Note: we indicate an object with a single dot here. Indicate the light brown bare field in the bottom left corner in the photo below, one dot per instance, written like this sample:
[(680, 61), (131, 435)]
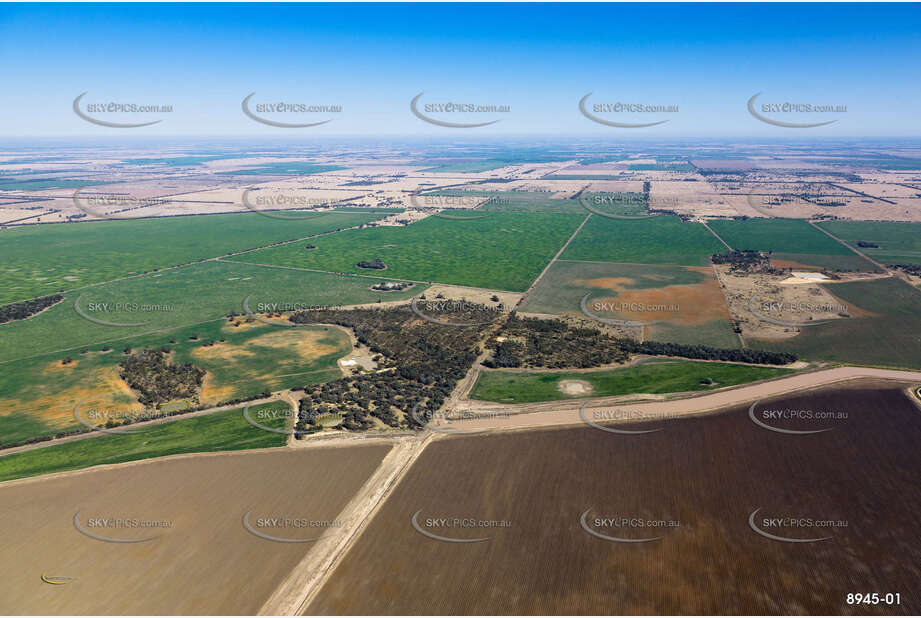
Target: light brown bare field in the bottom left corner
[(205, 562)]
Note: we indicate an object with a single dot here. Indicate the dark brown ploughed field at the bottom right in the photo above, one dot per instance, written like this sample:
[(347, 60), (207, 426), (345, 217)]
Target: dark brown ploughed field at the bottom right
[(694, 486)]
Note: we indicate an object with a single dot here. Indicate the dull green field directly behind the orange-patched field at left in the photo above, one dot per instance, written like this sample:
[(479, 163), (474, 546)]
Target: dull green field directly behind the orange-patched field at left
[(193, 294)]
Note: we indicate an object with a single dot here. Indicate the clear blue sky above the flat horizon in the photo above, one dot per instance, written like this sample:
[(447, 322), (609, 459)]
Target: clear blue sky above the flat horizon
[(537, 59)]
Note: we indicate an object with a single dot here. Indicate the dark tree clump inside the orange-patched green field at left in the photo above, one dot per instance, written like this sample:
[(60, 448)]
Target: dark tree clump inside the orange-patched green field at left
[(150, 373)]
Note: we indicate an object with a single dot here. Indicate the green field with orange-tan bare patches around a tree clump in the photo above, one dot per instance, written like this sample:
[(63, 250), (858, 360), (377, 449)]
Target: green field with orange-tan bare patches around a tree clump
[(37, 395)]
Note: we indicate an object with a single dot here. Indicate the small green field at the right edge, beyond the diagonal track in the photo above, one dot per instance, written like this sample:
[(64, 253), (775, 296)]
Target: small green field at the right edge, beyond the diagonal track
[(899, 242)]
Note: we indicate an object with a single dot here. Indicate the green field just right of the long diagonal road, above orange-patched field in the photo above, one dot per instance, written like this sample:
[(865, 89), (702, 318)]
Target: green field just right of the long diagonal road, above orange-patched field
[(654, 240)]
